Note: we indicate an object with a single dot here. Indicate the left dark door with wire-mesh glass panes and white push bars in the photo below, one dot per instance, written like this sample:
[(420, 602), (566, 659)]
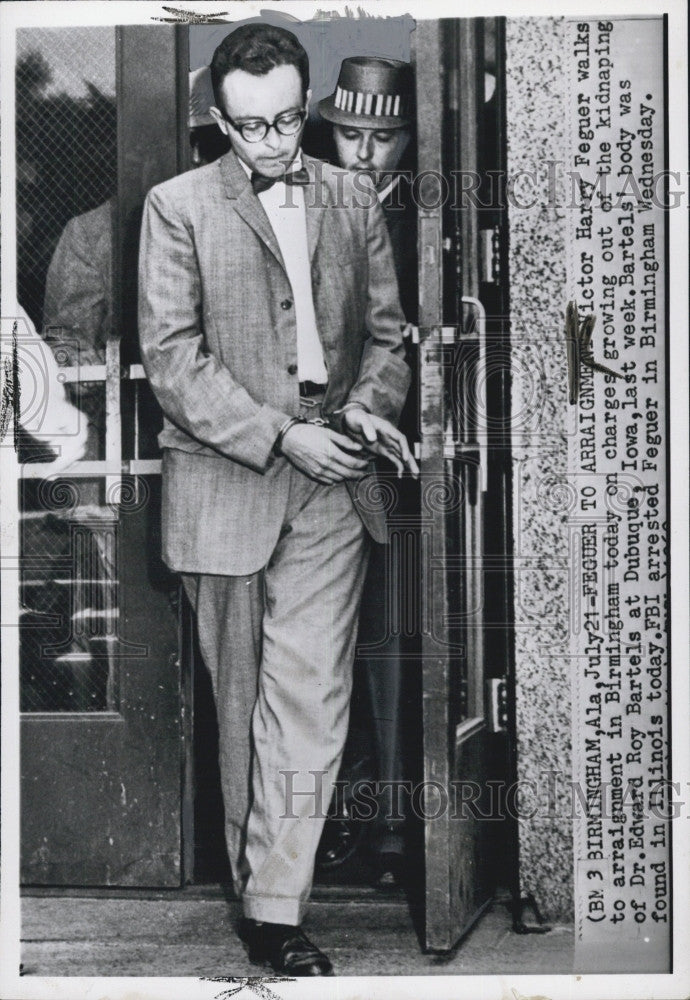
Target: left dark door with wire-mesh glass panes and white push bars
[(101, 742)]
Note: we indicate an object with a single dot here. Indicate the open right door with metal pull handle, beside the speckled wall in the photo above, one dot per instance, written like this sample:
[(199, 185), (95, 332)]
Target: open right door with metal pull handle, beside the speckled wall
[(462, 740)]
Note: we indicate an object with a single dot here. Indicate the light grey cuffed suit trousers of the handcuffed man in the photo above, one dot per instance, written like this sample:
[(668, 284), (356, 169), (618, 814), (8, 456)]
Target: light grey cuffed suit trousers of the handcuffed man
[(279, 645)]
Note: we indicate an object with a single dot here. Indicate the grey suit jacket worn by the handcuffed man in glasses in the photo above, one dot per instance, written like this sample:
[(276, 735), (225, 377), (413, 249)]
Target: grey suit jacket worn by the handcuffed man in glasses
[(219, 345)]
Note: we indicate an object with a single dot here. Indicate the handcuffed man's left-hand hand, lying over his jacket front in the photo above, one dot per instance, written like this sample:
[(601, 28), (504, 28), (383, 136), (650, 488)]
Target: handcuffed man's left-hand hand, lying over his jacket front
[(323, 454)]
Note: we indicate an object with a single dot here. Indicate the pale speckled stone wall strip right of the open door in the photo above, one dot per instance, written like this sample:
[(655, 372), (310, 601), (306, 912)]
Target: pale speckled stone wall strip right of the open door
[(536, 136)]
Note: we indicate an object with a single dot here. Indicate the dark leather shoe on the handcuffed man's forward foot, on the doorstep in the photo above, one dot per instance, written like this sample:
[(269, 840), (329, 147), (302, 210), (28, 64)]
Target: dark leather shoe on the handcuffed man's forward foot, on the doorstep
[(285, 948)]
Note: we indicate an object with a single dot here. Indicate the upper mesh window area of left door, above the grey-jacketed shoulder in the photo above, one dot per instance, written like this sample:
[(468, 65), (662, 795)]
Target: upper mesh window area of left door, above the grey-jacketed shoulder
[(66, 142)]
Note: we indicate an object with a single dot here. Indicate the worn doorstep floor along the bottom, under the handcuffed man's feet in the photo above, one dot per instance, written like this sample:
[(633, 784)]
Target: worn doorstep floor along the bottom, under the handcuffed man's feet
[(182, 933)]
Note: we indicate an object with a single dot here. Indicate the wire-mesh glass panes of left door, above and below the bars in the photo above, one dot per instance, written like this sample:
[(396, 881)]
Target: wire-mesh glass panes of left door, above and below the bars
[(66, 184)]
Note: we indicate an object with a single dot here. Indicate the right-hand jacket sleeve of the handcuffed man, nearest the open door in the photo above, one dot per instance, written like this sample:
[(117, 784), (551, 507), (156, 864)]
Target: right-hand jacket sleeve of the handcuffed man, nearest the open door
[(384, 376)]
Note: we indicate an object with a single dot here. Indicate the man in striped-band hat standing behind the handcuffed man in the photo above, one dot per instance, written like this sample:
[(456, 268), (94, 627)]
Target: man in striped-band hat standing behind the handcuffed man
[(371, 113)]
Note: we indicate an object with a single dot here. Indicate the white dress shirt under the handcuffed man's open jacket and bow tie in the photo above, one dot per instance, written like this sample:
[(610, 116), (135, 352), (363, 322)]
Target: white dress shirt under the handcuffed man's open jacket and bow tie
[(288, 217)]
